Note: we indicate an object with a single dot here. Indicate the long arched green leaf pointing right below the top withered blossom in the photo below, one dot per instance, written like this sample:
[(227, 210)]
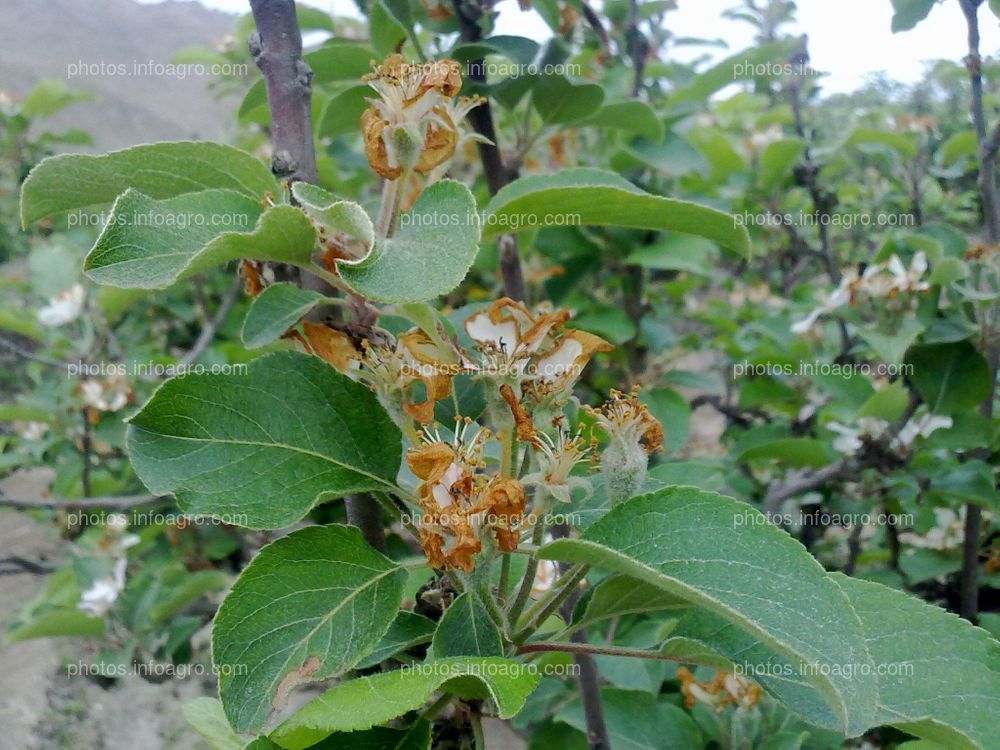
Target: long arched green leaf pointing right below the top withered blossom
[(596, 197)]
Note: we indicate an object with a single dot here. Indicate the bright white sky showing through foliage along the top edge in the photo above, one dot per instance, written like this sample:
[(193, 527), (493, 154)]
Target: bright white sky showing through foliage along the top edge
[(849, 39)]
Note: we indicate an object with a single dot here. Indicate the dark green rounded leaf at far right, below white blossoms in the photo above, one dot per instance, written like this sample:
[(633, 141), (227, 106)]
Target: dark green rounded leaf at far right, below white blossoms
[(949, 377)]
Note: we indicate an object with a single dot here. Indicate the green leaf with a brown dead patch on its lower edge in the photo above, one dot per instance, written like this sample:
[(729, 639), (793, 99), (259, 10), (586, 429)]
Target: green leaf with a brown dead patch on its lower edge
[(307, 607)]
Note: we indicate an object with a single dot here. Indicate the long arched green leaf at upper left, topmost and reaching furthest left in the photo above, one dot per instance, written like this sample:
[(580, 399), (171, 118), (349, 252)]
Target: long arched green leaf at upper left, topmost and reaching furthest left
[(160, 170)]
